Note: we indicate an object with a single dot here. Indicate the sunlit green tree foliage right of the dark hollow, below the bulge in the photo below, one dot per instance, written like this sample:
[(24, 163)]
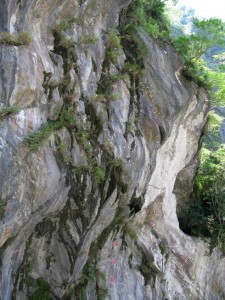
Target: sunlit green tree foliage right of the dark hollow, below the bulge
[(210, 194)]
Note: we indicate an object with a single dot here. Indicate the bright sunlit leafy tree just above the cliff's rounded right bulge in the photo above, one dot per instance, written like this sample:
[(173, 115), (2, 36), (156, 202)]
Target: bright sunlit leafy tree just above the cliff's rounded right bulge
[(195, 47)]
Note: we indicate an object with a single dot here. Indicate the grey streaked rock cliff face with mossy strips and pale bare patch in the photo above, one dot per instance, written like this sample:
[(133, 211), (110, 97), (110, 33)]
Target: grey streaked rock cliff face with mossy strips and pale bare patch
[(88, 202)]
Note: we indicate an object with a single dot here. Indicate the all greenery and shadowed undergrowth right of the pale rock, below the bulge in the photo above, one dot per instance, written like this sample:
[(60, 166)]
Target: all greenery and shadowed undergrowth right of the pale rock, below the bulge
[(205, 214)]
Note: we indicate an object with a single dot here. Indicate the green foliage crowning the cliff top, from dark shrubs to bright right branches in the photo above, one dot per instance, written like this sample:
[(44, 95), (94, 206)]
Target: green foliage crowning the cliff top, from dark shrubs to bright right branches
[(152, 16)]
